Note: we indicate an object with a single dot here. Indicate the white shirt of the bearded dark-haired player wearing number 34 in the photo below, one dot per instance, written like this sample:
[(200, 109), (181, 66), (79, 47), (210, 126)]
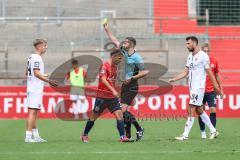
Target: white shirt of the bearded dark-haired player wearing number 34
[(197, 65)]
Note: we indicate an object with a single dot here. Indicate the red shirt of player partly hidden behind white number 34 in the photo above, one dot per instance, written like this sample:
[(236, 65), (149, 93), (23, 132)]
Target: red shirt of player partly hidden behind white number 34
[(215, 69)]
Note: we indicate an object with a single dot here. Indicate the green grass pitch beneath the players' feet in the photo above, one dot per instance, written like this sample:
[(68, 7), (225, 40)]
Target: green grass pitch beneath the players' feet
[(64, 143)]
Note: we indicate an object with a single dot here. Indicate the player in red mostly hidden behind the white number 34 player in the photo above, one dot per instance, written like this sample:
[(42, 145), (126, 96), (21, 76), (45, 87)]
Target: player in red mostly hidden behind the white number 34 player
[(210, 95)]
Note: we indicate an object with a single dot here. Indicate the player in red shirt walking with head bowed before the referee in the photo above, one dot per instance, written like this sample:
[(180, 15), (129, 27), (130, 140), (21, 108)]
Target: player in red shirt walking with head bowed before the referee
[(107, 96)]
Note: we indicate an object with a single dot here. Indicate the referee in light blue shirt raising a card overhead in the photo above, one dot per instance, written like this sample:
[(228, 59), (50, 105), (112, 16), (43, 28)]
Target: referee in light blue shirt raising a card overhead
[(134, 70)]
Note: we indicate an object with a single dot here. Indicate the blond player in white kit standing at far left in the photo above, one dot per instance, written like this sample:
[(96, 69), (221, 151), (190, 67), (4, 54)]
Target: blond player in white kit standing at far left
[(35, 83)]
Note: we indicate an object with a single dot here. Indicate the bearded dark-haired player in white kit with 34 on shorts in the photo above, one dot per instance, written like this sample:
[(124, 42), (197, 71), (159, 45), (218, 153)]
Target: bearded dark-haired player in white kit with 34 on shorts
[(197, 66)]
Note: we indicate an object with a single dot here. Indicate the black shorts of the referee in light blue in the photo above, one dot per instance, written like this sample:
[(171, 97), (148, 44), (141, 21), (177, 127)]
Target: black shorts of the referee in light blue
[(129, 92)]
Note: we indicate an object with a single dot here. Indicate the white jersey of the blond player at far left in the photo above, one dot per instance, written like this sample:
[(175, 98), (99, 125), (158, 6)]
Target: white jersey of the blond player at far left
[(33, 83)]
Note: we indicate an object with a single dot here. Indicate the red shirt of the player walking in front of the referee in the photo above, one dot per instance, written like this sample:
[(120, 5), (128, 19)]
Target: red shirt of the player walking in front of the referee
[(110, 72)]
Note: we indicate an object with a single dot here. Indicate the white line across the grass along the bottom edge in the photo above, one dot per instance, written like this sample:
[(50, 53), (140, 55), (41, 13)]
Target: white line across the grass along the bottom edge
[(123, 152)]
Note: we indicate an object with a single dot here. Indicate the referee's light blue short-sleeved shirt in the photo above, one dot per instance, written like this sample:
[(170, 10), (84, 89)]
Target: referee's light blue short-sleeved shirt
[(133, 64)]
